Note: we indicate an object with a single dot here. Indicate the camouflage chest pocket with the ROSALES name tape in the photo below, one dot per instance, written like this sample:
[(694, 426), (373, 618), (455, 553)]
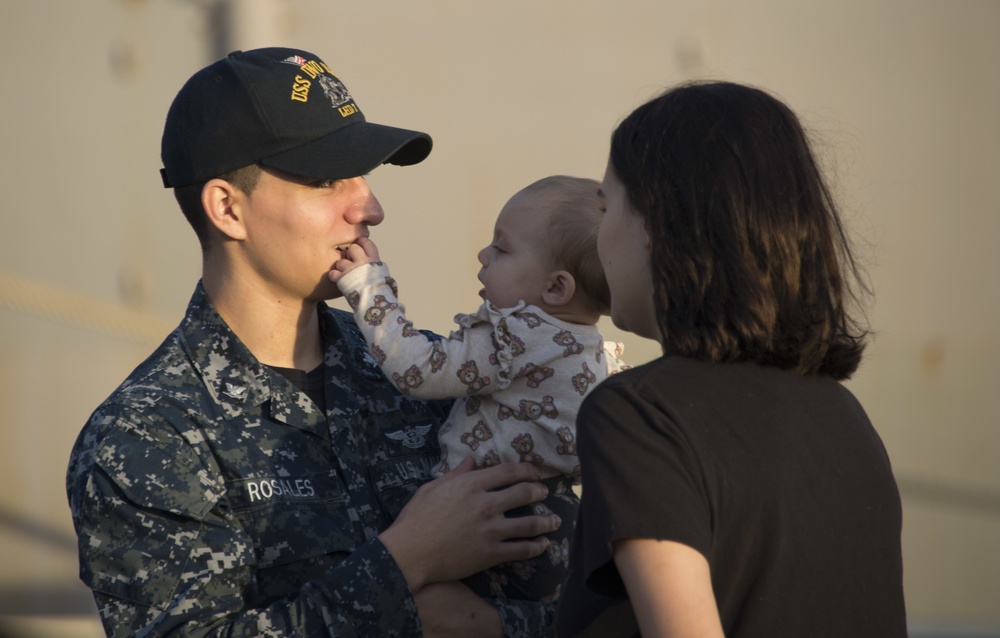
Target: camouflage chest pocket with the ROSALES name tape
[(294, 519)]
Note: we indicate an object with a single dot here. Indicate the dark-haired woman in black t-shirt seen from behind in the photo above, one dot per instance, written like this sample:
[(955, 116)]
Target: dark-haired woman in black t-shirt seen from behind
[(732, 487)]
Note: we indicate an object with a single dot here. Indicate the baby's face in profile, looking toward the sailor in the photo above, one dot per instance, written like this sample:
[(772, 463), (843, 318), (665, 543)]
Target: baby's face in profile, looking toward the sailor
[(517, 263)]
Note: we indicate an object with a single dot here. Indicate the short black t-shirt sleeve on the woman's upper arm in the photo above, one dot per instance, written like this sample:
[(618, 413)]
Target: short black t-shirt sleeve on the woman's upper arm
[(641, 479)]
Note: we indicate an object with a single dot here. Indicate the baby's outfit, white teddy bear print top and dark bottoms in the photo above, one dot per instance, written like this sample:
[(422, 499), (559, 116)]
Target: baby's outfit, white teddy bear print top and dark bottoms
[(518, 377)]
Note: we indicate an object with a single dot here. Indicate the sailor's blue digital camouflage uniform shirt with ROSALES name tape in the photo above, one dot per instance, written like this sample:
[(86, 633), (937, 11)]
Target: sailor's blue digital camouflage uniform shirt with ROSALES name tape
[(211, 497)]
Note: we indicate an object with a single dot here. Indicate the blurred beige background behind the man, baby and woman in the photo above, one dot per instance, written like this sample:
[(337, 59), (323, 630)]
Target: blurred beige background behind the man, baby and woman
[(97, 263)]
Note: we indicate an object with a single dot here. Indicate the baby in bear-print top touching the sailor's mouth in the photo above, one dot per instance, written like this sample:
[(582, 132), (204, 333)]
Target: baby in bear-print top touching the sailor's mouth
[(519, 366)]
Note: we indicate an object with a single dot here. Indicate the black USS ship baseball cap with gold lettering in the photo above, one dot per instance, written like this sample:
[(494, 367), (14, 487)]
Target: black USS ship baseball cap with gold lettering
[(282, 108)]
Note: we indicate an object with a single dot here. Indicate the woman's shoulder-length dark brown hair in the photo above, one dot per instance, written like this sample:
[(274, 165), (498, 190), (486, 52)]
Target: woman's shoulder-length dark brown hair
[(750, 261)]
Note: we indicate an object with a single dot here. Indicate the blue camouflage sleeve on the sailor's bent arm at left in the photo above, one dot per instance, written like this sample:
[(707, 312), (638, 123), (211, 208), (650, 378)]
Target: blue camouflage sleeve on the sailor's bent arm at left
[(164, 554)]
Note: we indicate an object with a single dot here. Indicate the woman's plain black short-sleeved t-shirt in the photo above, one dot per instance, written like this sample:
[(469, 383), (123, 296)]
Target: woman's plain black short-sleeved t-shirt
[(779, 480)]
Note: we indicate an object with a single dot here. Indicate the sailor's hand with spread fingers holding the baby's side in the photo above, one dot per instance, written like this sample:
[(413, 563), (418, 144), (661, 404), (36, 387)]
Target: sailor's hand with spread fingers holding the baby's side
[(454, 526)]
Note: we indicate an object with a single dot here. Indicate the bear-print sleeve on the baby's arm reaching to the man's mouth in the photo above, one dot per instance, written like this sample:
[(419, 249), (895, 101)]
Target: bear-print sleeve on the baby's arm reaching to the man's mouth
[(465, 363)]
